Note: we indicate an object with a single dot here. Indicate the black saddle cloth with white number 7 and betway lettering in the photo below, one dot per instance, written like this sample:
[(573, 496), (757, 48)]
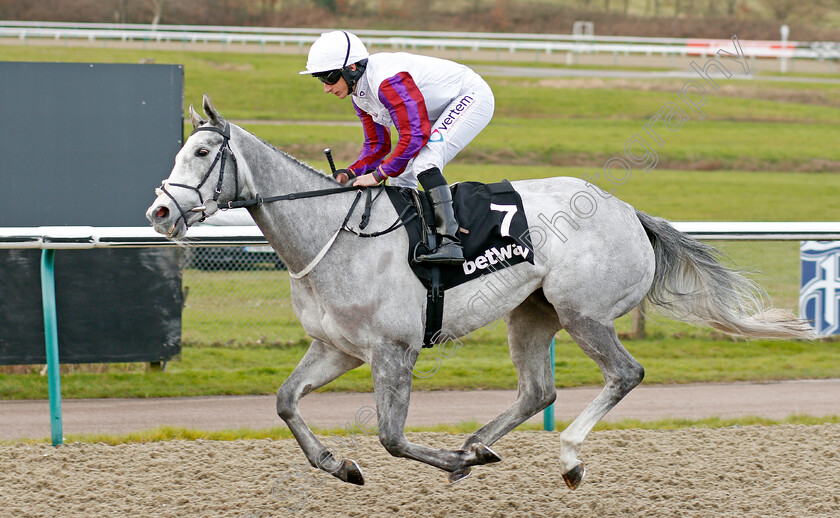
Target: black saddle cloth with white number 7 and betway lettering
[(494, 229)]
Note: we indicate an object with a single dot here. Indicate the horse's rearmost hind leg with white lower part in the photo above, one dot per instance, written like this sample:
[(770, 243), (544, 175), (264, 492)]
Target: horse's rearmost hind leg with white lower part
[(621, 374)]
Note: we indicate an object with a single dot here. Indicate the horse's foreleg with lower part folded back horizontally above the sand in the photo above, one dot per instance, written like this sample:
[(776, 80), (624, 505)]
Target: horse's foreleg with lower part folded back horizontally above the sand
[(391, 373)]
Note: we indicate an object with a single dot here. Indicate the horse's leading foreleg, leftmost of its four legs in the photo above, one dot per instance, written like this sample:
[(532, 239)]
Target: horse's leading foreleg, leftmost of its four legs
[(320, 365)]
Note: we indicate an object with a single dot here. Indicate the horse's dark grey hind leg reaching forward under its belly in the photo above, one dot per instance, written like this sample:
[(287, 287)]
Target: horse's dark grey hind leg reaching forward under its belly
[(531, 326)]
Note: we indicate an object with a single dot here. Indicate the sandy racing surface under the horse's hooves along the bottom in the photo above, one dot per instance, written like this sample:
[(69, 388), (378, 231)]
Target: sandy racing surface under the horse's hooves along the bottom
[(786, 470)]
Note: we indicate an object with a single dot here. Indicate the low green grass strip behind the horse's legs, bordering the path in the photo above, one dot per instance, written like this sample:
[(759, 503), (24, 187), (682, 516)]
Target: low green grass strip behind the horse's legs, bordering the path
[(483, 362)]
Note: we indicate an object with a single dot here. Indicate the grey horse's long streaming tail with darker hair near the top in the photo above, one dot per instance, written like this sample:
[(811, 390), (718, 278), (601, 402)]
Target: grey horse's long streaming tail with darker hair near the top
[(690, 284)]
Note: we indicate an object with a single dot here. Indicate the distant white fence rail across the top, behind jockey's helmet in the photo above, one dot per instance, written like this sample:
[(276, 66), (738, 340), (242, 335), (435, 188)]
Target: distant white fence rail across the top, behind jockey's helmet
[(510, 42)]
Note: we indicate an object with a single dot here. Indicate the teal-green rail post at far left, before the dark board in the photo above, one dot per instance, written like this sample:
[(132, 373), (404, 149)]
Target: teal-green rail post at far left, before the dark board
[(51, 338)]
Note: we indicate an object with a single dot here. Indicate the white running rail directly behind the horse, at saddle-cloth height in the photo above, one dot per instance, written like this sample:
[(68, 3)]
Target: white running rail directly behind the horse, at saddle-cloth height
[(70, 237)]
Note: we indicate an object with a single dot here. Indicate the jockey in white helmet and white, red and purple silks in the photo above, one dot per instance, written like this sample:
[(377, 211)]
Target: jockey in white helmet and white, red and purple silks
[(437, 106)]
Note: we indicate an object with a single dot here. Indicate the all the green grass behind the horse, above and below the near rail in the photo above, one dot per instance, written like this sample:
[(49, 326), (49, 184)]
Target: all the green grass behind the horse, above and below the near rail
[(736, 164)]
